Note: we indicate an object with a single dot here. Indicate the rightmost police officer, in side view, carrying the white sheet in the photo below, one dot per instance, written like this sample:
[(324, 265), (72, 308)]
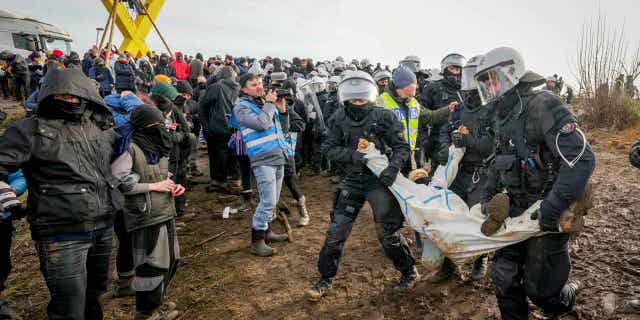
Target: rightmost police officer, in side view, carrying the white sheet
[(540, 154)]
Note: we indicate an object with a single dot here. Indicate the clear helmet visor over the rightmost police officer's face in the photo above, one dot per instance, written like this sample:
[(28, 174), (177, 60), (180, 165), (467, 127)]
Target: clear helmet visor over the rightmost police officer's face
[(493, 83)]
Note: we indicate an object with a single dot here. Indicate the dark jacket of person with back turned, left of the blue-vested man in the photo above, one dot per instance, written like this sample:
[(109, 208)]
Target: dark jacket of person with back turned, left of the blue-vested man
[(216, 106)]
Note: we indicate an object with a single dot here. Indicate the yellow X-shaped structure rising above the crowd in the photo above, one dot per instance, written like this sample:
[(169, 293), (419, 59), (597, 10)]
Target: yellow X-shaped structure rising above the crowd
[(135, 31)]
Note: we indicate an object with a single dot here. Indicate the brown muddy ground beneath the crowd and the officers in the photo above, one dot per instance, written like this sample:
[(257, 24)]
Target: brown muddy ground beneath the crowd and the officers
[(222, 280)]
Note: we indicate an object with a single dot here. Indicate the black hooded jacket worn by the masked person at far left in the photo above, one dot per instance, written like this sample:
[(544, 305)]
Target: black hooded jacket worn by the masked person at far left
[(66, 164)]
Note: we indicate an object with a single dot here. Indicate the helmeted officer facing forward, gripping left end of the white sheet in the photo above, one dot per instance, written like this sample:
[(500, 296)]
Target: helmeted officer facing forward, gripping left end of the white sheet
[(360, 118)]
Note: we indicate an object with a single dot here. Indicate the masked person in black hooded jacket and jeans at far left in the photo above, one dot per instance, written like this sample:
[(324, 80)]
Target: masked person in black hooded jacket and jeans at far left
[(65, 152)]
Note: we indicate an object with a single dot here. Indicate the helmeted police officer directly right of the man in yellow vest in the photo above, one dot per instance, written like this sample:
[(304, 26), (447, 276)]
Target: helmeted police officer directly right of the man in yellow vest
[(440, 94)]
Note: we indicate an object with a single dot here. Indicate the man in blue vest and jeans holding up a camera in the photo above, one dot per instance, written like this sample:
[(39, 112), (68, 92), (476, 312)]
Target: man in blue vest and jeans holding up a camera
[(259, 120)]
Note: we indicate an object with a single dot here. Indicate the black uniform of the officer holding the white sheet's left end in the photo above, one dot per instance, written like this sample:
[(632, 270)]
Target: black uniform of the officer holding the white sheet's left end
[(381, 127)]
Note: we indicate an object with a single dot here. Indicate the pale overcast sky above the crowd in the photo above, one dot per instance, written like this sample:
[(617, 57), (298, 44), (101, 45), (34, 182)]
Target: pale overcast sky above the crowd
[(545, 31)]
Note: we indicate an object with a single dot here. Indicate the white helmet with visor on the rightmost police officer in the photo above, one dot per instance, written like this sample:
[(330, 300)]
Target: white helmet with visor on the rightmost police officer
[(499, 71)]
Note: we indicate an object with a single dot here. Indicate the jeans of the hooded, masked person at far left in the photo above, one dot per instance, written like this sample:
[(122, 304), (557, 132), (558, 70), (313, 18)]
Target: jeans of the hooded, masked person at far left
[(77, 274)]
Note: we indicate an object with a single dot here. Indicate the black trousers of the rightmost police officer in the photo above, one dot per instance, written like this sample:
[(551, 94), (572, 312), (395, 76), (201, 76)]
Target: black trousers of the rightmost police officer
[(538, 269)]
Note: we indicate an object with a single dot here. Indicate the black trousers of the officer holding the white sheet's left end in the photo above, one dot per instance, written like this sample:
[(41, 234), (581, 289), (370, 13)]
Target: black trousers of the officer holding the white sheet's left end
[(348, 200)]
